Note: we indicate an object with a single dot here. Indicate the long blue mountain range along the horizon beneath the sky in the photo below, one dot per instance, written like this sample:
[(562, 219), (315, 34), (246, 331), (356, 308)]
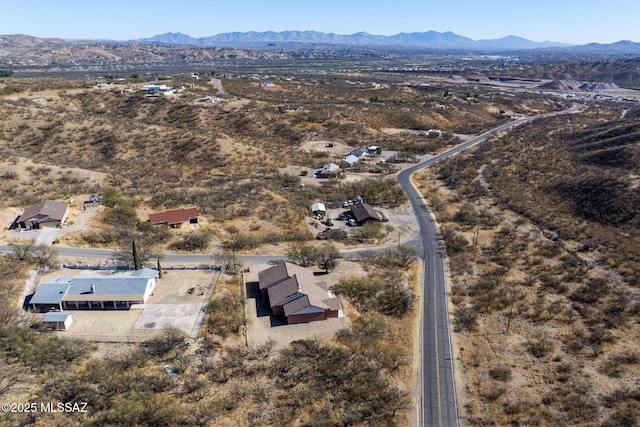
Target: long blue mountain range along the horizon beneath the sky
[(427, 40)]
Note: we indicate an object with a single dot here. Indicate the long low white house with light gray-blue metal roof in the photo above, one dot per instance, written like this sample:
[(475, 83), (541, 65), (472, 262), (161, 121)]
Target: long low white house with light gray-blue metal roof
[(114, 291)]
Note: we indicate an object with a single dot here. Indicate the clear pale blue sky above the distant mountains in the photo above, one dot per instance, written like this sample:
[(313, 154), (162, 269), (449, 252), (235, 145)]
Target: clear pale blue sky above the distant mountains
[(568, 21)]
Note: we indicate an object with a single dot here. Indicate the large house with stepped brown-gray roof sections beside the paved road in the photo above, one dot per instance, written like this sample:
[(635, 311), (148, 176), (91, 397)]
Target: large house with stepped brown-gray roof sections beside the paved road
[(293, 292)]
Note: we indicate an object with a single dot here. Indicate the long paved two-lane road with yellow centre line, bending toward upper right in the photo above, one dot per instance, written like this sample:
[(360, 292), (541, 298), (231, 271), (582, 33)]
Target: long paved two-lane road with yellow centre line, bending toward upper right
[(438, 401)]
